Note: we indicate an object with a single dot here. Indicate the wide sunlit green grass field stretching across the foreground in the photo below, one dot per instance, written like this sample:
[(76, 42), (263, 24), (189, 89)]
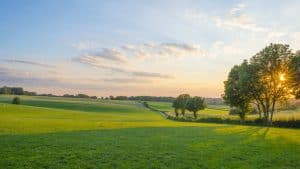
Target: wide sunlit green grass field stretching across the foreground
[(48, 132)]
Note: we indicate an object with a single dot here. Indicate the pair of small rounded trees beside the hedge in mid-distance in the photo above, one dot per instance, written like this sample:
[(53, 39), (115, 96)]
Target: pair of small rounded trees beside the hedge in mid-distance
[(185, 102)]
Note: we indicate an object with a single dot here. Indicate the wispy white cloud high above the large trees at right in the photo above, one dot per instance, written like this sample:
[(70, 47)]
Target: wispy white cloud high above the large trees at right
[(236, 18)]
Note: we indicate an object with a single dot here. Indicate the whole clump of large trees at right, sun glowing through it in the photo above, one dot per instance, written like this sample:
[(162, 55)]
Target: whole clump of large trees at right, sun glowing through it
[(269, 77)]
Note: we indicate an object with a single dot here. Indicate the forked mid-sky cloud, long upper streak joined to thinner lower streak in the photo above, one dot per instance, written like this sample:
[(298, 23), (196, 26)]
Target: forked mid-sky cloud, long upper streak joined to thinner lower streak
[(122, 59)]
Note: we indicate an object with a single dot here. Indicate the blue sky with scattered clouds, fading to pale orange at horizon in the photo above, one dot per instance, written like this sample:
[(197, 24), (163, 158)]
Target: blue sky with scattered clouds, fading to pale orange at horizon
[(128, 47)]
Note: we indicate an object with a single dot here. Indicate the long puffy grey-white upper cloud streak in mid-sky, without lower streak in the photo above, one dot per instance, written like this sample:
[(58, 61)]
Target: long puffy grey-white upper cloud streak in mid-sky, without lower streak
[(144, 51)]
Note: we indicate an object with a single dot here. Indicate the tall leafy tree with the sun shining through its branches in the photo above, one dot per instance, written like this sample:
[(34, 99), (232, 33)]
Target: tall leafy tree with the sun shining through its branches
[(272, 69)]
